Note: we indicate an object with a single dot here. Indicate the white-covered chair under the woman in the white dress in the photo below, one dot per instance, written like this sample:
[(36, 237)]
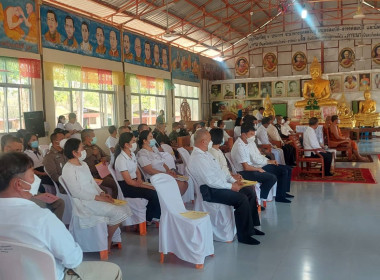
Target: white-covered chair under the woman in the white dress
[(92, 239)]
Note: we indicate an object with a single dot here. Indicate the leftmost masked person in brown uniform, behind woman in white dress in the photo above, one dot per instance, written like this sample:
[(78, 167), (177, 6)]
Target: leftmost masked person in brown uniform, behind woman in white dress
[(55, 159)]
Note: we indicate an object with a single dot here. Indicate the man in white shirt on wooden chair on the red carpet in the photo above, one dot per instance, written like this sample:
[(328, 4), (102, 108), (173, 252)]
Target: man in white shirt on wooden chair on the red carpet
[(310, 142)]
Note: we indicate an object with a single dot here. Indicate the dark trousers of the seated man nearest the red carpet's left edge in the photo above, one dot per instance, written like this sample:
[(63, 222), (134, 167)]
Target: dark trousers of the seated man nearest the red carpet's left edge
[(283, 174)]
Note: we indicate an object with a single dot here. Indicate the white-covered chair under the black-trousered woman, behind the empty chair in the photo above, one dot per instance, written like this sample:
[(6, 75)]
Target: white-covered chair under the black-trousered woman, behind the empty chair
[(137, 205)]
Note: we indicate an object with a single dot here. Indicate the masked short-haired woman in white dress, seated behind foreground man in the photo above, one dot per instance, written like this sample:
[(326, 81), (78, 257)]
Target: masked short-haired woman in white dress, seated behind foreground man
[(92, 205)]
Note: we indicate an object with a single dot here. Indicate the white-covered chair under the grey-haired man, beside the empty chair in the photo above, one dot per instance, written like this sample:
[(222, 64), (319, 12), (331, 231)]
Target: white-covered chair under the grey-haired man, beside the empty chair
[(221, 215)]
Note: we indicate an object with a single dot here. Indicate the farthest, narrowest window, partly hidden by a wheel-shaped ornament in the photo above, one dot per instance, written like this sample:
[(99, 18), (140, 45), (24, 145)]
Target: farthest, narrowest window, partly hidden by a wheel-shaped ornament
[(191, 94)]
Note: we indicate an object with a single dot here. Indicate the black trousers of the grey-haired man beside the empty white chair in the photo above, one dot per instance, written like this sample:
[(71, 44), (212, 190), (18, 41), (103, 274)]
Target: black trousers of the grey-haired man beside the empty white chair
[(244, 203)]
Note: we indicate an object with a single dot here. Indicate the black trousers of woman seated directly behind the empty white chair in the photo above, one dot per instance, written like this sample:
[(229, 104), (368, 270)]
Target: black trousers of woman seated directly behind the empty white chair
[(153, 209)]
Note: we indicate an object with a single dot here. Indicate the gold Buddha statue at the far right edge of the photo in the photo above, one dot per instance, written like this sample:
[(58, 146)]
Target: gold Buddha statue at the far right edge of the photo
[(367, 115)]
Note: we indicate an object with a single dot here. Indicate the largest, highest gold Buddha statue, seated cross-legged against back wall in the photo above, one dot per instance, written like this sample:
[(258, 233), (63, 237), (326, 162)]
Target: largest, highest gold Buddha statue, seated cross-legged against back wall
[(320, 87)]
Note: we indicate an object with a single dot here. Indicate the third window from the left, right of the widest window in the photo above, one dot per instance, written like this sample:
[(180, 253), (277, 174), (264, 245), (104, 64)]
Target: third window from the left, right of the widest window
[(148, 97)]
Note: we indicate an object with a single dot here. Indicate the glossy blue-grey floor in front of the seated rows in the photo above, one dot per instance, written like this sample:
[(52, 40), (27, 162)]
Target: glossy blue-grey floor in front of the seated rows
[(329, 232)]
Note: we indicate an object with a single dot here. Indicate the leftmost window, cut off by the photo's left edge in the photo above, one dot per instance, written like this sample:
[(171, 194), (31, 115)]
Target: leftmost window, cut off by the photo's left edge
[(15, 96)]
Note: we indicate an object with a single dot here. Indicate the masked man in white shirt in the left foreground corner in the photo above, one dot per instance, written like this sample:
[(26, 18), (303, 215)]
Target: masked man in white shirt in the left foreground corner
[(21, 220)]
